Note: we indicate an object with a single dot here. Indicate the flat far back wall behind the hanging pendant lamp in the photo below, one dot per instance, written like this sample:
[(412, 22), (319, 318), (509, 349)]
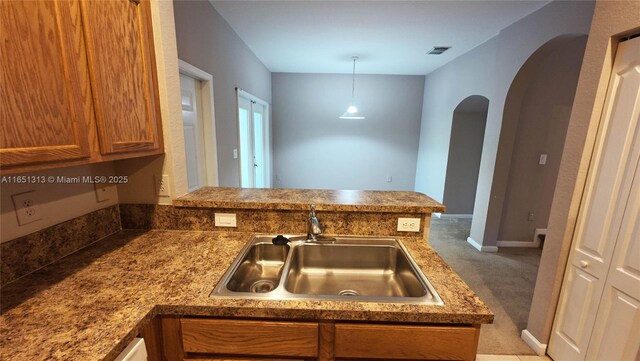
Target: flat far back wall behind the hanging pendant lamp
[(313, 148)]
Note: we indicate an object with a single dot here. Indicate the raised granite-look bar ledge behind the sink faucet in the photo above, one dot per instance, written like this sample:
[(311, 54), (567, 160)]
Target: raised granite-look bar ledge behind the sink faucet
[(300, 199)]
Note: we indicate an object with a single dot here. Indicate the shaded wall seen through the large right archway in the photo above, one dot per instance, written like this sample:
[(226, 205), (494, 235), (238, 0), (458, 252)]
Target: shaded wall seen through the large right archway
[(544, 108)]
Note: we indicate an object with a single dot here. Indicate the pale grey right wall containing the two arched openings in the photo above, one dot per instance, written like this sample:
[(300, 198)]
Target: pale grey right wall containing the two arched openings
[(487, 70)]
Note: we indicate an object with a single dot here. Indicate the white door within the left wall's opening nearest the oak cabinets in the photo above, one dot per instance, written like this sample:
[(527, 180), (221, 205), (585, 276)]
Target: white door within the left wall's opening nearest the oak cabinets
[(193, 131)]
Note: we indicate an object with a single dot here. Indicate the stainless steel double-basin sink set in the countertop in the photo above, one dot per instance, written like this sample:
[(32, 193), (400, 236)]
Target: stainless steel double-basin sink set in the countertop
[(346, 268)]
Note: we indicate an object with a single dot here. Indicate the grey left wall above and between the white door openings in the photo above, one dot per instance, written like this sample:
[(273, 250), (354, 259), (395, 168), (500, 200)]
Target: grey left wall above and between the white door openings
[(206, 40)]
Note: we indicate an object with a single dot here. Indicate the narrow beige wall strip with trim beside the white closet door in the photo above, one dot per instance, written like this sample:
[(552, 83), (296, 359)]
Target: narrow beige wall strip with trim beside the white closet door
[(611, 20)]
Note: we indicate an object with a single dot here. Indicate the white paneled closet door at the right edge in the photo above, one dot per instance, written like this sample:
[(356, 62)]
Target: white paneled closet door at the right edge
[(603, 219)]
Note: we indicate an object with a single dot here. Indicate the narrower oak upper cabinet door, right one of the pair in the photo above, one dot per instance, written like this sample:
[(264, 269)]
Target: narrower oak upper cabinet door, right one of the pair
[(123, 79)]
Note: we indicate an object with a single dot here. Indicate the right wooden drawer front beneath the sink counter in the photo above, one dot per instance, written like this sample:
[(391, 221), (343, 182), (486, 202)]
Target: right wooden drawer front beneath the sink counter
[(400, 342)]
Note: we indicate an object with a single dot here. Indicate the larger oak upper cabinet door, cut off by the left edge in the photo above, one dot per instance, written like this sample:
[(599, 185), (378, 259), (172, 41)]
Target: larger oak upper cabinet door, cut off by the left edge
[(45, 104)]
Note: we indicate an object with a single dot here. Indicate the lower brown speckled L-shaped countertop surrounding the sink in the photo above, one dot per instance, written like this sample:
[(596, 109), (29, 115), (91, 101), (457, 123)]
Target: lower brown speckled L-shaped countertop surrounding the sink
[(90, 305)]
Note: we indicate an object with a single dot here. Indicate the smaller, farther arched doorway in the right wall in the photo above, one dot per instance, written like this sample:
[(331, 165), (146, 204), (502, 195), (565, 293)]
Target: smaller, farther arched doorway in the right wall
[(465, 150)]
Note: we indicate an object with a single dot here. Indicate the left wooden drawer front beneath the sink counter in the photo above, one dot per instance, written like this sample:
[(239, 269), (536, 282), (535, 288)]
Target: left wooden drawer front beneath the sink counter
[(239, 337)]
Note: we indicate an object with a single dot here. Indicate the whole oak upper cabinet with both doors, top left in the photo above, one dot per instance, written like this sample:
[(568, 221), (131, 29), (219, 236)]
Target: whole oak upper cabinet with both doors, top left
[(78, 83)]
